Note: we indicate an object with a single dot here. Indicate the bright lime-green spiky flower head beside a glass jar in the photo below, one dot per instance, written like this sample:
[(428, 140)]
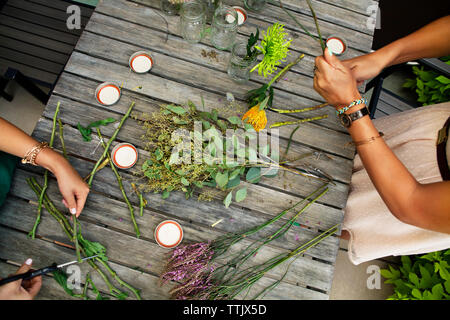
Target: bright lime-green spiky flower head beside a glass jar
[(275, 48)]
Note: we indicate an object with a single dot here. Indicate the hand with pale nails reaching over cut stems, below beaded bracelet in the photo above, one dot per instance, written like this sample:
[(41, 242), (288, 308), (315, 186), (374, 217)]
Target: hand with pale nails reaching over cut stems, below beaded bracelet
[(72, 187)]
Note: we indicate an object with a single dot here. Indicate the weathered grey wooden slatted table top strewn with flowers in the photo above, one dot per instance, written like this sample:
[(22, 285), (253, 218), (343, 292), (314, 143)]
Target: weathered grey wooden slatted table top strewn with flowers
[(182, 72)]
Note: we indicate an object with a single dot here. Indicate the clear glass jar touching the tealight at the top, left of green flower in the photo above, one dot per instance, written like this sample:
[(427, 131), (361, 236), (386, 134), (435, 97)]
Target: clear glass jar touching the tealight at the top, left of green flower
[(224, 28)]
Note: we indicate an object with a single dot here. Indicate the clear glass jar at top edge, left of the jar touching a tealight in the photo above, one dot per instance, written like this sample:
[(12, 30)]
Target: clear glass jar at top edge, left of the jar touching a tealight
[(192, 21)]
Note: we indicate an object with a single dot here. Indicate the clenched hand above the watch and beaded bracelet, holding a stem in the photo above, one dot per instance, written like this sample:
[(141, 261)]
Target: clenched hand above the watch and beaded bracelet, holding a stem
[(334, 81)]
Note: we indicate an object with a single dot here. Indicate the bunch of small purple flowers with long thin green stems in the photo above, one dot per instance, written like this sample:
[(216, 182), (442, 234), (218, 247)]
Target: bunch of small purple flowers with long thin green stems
[(192, 265)]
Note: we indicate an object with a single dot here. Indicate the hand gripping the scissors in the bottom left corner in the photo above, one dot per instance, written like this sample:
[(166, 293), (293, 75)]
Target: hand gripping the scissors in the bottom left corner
[(22, 289)]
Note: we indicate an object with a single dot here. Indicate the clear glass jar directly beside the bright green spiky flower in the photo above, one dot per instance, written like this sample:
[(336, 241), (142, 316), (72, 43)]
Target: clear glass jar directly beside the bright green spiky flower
[(239, 67)]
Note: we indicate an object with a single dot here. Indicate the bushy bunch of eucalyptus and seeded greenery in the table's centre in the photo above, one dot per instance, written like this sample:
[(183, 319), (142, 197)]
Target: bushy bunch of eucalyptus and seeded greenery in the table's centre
[(195, 151)]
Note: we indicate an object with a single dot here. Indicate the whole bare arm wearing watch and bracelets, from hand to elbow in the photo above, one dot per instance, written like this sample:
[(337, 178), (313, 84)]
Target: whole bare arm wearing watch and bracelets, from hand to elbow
[(422, 205)]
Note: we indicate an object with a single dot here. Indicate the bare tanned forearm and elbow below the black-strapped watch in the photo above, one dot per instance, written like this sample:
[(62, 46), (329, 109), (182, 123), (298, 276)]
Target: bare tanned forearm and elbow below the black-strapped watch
[(423, 205)]
